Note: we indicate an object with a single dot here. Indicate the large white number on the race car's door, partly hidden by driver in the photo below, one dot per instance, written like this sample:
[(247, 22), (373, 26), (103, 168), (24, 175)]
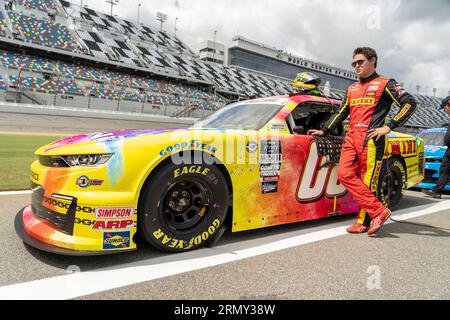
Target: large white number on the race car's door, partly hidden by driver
[(314, 183)]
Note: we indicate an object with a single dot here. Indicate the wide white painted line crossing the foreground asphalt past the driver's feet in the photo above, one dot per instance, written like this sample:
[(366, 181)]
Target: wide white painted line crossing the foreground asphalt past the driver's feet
[(85, 283)]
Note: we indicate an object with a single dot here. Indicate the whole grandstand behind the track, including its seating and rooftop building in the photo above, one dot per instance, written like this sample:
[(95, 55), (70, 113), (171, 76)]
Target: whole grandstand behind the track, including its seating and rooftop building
[(56, 52)]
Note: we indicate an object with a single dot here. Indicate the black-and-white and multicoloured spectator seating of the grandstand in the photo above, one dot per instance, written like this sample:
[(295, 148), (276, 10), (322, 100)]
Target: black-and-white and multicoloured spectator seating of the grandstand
[(112, 40)]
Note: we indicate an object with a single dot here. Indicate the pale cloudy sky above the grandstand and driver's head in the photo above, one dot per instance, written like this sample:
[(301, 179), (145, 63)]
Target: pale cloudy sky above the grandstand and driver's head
[(411, 37)]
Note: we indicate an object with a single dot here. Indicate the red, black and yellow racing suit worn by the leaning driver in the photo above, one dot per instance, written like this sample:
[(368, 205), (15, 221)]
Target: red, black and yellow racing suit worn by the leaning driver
[(368, 103)]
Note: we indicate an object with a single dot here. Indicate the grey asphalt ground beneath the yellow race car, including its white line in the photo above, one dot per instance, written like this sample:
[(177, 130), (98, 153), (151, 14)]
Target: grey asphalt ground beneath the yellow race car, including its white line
[(309, 260)]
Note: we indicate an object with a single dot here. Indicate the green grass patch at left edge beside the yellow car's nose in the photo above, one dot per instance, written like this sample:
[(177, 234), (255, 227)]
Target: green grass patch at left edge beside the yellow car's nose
[(16, 156)]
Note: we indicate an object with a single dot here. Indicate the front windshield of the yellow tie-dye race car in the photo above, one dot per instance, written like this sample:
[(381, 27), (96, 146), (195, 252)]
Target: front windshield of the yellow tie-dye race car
[(241, 116)]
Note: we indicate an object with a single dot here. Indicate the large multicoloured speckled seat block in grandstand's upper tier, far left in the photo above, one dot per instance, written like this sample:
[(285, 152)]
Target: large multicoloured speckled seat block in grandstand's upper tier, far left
[(43, 32)]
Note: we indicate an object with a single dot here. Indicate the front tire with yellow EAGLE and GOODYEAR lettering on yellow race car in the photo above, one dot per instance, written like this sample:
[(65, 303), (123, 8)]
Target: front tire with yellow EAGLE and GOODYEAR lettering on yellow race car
[(183, 207)]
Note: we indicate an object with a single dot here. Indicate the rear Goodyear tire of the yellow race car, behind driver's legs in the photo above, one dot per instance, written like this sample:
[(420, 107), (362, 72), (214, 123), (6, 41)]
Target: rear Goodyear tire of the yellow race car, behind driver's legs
[(391, 185)]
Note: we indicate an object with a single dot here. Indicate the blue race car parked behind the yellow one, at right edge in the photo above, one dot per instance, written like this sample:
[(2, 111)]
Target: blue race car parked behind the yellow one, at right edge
[(434, 153)]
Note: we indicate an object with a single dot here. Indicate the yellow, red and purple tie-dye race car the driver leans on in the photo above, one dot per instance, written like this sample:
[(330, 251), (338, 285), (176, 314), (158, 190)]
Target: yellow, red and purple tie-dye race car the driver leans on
[(251, 163)]
